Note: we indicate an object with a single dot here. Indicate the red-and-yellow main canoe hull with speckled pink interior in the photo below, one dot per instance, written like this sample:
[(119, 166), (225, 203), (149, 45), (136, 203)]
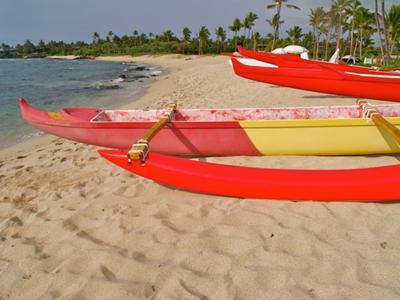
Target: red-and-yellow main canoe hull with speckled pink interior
[(324, 130)]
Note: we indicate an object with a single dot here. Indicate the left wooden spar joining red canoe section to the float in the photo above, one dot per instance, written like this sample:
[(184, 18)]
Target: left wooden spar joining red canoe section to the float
[(140, 149)]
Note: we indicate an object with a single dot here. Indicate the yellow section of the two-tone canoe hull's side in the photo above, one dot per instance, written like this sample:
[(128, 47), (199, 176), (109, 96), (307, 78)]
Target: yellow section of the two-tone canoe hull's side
[(320, 137)]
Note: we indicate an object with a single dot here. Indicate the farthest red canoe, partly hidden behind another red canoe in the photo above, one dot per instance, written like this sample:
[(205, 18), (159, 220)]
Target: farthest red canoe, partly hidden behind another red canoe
[(294, 61)]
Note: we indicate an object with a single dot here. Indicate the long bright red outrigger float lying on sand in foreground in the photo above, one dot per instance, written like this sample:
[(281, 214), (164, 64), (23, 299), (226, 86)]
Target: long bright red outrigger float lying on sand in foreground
[(371, 184)]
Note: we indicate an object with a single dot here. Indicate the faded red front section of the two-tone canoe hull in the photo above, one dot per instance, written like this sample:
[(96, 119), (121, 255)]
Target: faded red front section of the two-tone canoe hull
[(180, 138)]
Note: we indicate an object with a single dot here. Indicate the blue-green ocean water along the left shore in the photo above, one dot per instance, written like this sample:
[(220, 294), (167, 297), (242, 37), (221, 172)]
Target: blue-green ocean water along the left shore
[(53, 84)]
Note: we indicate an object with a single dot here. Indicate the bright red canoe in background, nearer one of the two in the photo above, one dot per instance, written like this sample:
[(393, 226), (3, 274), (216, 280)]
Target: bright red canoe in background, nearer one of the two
[(327, 79)]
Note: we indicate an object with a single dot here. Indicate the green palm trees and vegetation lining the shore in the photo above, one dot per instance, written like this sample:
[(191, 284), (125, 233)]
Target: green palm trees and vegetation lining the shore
[(346, 25)]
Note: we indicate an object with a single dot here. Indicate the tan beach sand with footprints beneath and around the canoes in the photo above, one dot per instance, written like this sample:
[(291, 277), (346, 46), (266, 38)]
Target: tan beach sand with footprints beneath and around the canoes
[(75, 226)]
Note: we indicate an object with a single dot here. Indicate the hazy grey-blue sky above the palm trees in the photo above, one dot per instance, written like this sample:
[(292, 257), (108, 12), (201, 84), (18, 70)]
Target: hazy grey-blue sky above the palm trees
[(73, 20)]
